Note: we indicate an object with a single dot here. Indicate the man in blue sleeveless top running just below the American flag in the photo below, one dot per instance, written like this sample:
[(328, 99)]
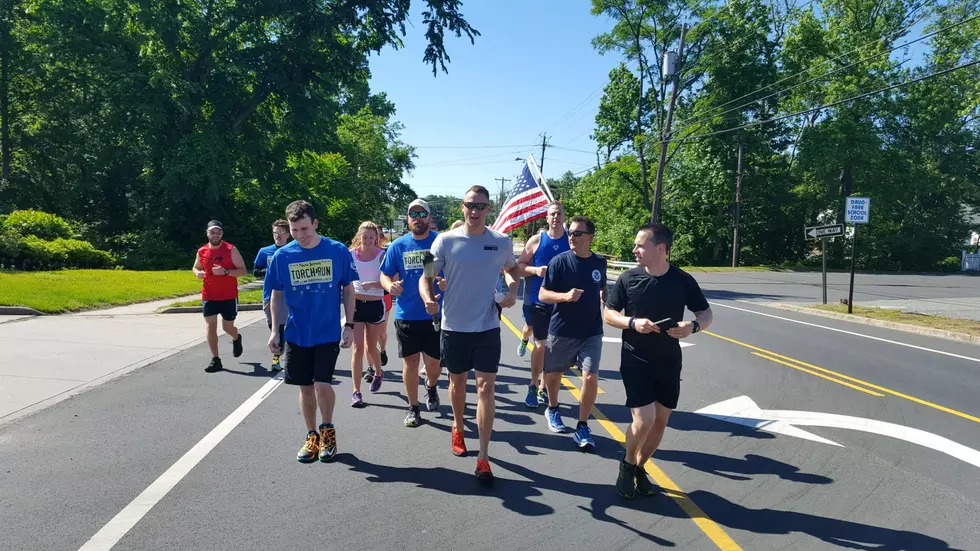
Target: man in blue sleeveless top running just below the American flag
[(538, 252)]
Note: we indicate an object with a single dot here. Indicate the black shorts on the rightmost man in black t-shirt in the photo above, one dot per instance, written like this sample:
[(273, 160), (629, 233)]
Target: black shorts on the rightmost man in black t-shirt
[(649, 381)]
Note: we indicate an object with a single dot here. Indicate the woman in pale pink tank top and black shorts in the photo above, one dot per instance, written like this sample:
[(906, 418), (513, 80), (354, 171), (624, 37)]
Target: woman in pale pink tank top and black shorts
[(369, 312)]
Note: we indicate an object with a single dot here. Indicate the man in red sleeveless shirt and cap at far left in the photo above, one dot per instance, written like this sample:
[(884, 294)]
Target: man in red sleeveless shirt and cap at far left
[(219, 265)]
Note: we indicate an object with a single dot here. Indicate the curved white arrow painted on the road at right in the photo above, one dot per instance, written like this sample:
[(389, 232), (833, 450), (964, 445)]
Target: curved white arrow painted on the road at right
[(744, 411)]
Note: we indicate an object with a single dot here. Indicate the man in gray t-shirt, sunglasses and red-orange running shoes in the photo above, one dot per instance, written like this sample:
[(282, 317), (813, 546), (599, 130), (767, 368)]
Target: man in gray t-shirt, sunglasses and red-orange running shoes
[(472, 258)]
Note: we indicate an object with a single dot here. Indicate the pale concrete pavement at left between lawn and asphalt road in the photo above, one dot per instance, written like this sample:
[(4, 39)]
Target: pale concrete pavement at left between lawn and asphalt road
[(51, 358)]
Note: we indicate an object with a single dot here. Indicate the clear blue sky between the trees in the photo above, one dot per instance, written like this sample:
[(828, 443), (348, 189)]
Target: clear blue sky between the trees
[(533, 70)]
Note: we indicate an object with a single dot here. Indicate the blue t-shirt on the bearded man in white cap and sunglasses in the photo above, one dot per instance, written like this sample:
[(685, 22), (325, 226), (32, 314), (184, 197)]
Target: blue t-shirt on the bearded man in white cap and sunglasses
[(404, 257)]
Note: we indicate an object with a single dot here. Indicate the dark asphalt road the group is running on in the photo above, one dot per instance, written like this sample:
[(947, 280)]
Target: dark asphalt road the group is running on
[(70, 469)]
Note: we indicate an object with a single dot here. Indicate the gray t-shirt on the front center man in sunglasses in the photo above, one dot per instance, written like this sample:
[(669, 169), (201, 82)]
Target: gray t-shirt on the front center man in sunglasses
[(471, 265)]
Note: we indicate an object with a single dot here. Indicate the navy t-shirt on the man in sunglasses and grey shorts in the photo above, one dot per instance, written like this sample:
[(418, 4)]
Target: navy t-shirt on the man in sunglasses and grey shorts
[(582, 318)]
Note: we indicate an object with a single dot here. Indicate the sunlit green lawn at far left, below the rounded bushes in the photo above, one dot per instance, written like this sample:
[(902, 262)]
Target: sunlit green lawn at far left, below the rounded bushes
[(73, 290)]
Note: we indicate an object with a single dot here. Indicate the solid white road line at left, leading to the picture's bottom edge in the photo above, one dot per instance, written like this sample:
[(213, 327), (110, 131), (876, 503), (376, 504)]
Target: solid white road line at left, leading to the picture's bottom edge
[(122, 523)]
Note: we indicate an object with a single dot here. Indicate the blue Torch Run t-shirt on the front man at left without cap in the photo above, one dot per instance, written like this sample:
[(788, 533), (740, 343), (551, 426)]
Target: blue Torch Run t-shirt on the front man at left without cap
[(312, 281)]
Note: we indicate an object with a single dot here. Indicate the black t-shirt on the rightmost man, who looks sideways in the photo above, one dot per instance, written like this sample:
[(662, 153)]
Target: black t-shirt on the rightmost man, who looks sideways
[(639, 294)]
